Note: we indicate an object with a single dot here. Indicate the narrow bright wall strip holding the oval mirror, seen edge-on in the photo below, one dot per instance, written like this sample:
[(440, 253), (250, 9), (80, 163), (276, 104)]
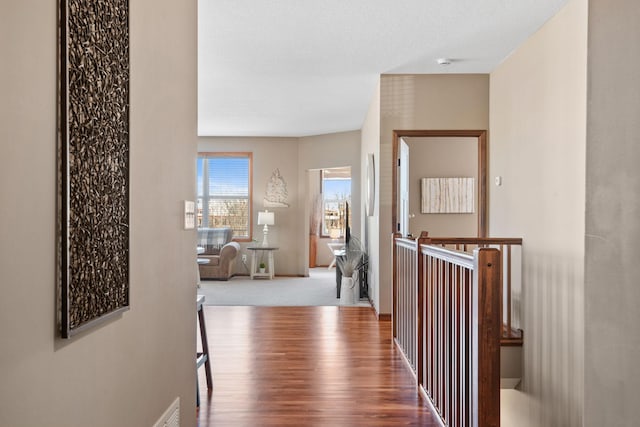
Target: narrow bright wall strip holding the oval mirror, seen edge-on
[(370, 144)]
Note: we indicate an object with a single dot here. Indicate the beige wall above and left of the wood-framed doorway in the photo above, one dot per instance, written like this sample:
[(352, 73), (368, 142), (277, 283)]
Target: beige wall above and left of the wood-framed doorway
[(425, 102)]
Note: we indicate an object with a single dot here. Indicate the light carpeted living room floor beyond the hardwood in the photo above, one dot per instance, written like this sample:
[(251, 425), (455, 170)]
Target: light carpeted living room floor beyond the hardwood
[(318, 289)]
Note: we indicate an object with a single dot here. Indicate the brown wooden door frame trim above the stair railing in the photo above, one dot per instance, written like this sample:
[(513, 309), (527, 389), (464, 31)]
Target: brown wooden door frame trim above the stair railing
[(481, 136)]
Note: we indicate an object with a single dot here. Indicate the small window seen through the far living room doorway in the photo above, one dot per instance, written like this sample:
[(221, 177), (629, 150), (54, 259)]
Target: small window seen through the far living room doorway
[(336, 191)]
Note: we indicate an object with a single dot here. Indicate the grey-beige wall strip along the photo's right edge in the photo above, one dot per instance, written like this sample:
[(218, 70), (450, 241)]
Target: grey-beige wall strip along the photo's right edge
[(612, 294)]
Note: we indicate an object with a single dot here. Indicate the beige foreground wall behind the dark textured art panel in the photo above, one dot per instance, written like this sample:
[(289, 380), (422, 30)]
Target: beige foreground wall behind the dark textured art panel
[(127, 371)]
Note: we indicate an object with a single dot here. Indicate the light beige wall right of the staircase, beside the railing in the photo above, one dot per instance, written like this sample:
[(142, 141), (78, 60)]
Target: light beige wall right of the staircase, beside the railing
[(538, 119)]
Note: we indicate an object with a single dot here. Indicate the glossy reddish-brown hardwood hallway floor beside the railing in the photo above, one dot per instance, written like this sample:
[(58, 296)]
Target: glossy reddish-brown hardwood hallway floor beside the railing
[(306, 366)]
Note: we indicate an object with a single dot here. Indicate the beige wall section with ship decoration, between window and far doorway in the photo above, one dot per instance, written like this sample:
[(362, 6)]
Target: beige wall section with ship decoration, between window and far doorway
[(269, 154)]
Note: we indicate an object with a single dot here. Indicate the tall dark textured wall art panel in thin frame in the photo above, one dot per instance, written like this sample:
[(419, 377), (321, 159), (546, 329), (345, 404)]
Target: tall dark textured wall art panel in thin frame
[(94, 162)]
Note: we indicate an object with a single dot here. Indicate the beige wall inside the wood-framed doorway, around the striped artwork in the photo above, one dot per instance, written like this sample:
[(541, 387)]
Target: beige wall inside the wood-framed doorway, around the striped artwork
[(441, 157)]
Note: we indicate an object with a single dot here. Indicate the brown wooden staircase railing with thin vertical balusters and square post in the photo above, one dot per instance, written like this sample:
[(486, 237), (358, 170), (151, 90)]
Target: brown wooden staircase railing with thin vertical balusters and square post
[(447, 322)]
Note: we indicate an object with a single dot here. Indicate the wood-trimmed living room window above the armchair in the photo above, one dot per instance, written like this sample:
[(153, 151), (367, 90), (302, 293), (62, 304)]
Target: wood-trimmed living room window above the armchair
[(224, 192)]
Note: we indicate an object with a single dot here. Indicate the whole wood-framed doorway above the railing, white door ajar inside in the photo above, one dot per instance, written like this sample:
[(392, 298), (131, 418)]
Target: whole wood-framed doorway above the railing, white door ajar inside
[(407, 190)]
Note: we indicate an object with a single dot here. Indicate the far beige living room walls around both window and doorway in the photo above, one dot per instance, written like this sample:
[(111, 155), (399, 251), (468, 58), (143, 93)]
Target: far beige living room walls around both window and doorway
[(294, 157)]
